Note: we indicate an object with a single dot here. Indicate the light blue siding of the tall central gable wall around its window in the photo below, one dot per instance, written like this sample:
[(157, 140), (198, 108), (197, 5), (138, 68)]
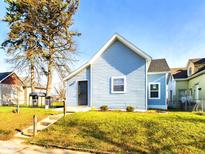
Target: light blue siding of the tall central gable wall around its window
[(119, 60)]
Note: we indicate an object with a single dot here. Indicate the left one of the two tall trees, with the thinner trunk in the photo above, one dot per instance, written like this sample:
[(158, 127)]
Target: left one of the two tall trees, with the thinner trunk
[(22, 45)]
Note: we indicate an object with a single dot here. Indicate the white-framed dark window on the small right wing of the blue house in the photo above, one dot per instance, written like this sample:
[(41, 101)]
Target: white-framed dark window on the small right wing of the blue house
[(154, 90)]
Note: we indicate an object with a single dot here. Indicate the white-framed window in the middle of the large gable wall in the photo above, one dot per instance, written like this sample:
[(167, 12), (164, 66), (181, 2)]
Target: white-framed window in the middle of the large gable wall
[(118, 84)]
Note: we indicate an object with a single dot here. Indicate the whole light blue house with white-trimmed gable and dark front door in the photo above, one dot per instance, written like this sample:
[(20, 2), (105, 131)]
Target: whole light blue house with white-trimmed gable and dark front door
[(120, 75)]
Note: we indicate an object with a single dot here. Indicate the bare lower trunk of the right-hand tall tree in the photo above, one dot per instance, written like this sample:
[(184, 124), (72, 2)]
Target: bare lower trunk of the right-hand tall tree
[(49, 80)]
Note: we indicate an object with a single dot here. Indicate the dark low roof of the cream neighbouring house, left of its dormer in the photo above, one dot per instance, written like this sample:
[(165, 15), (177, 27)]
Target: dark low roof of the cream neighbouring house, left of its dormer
[(179, 73)]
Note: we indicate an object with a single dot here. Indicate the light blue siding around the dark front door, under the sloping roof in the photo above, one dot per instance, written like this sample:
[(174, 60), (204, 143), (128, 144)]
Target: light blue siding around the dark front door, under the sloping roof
[(72, 87)]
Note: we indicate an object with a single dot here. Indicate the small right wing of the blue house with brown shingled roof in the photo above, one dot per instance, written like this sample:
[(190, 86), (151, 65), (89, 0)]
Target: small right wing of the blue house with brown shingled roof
[(159, 72)]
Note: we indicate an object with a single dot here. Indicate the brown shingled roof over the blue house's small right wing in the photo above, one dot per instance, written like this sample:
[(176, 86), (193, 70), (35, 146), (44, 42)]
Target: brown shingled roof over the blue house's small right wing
[(159, 65)]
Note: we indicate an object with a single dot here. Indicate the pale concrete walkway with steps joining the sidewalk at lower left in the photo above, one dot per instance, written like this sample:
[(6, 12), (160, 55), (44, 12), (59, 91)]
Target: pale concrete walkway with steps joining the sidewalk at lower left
[(17, 145)]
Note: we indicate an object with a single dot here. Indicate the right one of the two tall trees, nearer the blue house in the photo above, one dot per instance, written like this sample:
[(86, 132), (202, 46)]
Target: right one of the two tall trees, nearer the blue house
[(54, 22)]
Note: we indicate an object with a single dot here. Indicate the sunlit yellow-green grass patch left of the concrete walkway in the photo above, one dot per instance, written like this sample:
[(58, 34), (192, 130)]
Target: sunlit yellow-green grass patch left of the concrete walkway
[(10, 122)]
